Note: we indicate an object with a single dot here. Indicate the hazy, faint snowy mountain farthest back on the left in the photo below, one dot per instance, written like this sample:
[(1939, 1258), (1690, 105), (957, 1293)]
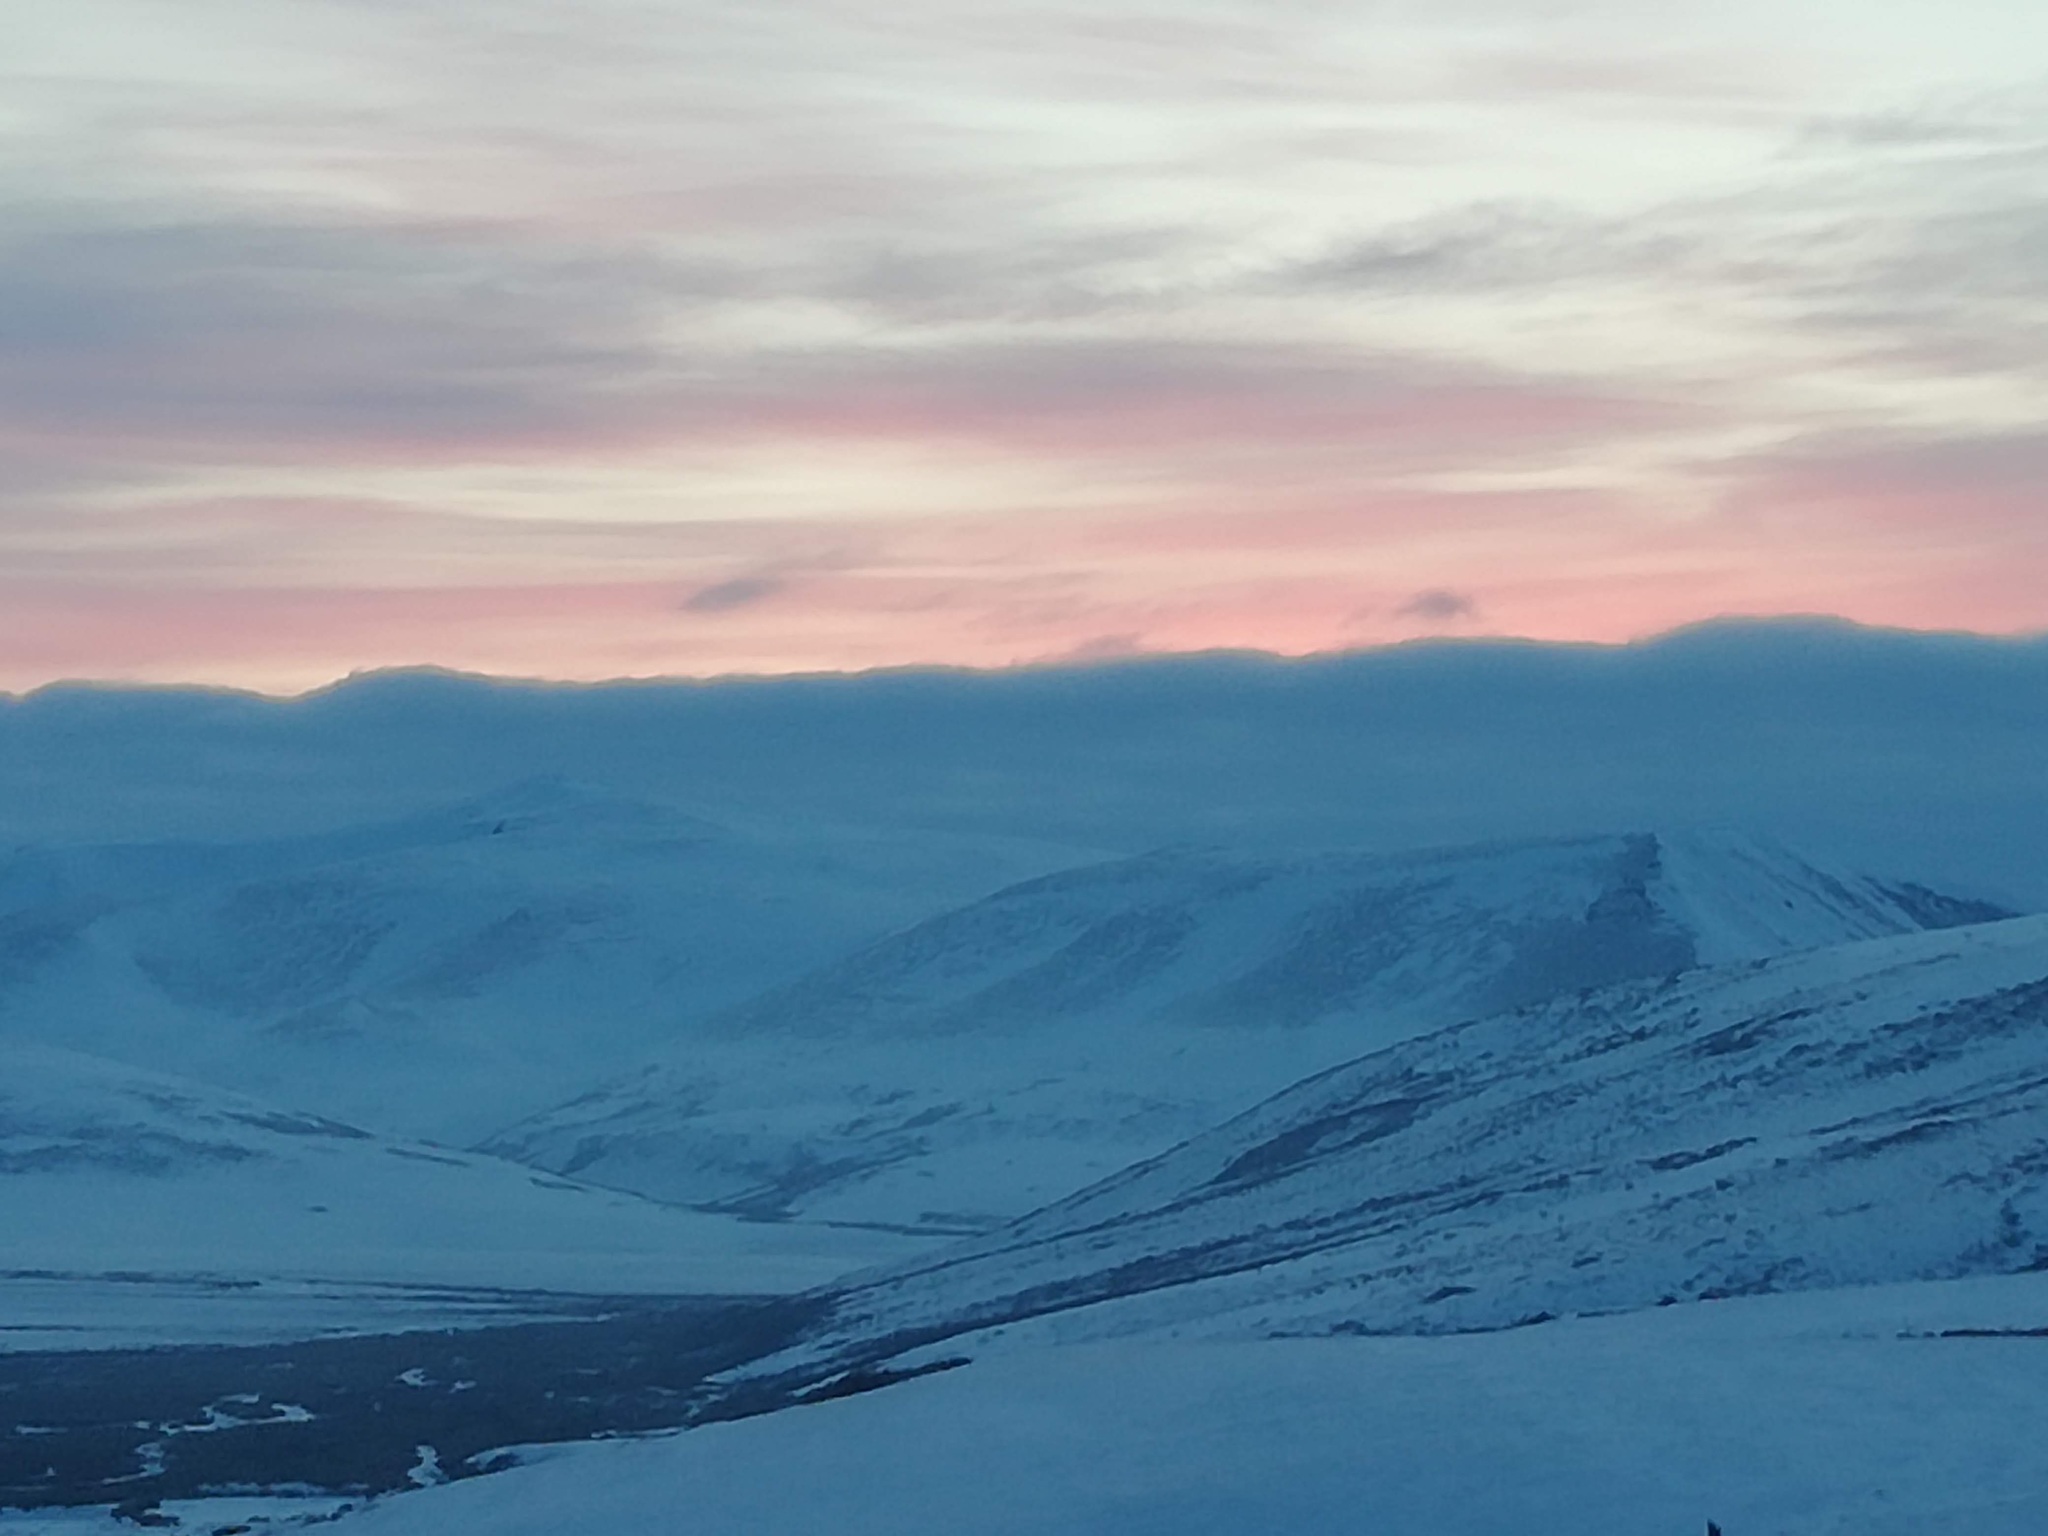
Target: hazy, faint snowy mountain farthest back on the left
[(454, 970)]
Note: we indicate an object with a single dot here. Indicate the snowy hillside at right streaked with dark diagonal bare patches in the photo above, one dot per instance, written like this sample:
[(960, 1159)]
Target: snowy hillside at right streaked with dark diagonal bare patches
[(1840, 1117)]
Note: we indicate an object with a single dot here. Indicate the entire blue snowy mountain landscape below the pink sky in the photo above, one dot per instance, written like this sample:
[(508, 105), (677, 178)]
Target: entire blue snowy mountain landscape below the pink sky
[(1275, 1179)]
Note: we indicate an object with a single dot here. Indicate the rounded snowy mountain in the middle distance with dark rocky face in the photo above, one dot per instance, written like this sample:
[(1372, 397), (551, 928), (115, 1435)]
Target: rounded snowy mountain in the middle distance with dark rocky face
[(1007, 1054)]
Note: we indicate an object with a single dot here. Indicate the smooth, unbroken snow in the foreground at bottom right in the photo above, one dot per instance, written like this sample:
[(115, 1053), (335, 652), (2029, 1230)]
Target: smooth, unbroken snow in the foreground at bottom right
[(1791, 1416)]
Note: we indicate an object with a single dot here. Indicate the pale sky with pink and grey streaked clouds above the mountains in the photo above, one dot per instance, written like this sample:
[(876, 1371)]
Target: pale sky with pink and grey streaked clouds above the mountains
[(699, 337)]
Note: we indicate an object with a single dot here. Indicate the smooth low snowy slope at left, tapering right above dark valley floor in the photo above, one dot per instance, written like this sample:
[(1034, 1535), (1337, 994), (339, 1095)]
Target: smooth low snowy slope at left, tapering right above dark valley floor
[(108, 1170)]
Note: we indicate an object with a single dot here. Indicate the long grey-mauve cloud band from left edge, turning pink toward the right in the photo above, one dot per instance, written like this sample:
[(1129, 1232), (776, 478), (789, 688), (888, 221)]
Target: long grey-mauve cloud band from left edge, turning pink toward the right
[(187, 339)]
